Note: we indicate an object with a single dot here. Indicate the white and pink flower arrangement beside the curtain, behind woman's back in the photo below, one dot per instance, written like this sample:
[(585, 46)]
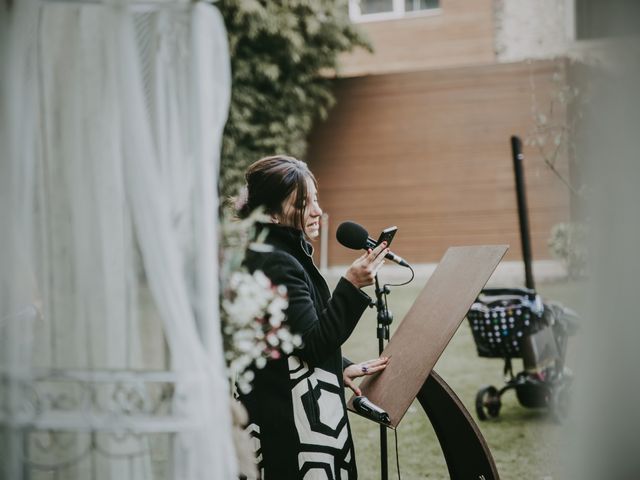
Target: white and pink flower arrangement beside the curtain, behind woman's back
[(252, 312)]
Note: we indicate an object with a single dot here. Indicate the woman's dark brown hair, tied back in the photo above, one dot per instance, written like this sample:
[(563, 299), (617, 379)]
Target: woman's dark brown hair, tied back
[(271, 180)]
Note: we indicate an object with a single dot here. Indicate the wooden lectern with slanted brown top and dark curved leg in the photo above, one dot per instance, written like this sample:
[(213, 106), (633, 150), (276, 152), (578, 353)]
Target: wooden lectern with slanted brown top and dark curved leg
[(417, 345)]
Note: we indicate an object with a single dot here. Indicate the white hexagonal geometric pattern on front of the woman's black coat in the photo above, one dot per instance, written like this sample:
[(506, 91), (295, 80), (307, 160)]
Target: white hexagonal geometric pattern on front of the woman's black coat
[(321, 422)]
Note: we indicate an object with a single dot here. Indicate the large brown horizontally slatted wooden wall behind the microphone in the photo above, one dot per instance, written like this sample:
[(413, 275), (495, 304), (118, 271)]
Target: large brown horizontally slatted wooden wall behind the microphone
[(429, 151)]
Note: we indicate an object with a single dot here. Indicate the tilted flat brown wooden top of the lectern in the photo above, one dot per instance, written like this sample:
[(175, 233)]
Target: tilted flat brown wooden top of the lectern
[(428, 327)]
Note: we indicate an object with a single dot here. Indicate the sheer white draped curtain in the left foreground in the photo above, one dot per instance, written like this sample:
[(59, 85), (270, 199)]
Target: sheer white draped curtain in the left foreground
[(111, 118)]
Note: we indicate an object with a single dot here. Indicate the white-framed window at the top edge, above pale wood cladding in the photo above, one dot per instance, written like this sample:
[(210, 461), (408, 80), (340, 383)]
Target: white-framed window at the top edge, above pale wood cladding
[(366, 10)]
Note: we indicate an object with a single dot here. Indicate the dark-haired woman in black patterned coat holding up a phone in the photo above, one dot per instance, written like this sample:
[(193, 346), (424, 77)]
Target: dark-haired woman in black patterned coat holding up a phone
[(297, 405)]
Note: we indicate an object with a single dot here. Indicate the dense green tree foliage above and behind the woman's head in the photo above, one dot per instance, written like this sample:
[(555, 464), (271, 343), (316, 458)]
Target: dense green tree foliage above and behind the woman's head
[(282, 53)]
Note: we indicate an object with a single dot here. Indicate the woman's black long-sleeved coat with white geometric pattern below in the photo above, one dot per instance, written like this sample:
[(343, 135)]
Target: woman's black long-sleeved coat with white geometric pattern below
[(297, 406)]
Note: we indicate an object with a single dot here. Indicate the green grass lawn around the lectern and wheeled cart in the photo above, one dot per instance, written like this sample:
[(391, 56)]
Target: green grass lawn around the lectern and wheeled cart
[(524, 442)]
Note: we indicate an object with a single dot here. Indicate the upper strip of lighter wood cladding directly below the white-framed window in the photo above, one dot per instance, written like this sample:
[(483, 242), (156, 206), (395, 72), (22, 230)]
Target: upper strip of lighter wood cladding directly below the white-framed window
[(462, 33)]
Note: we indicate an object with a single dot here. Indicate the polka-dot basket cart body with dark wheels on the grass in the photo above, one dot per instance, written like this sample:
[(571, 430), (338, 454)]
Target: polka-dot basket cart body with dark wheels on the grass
[(511, 323)]
